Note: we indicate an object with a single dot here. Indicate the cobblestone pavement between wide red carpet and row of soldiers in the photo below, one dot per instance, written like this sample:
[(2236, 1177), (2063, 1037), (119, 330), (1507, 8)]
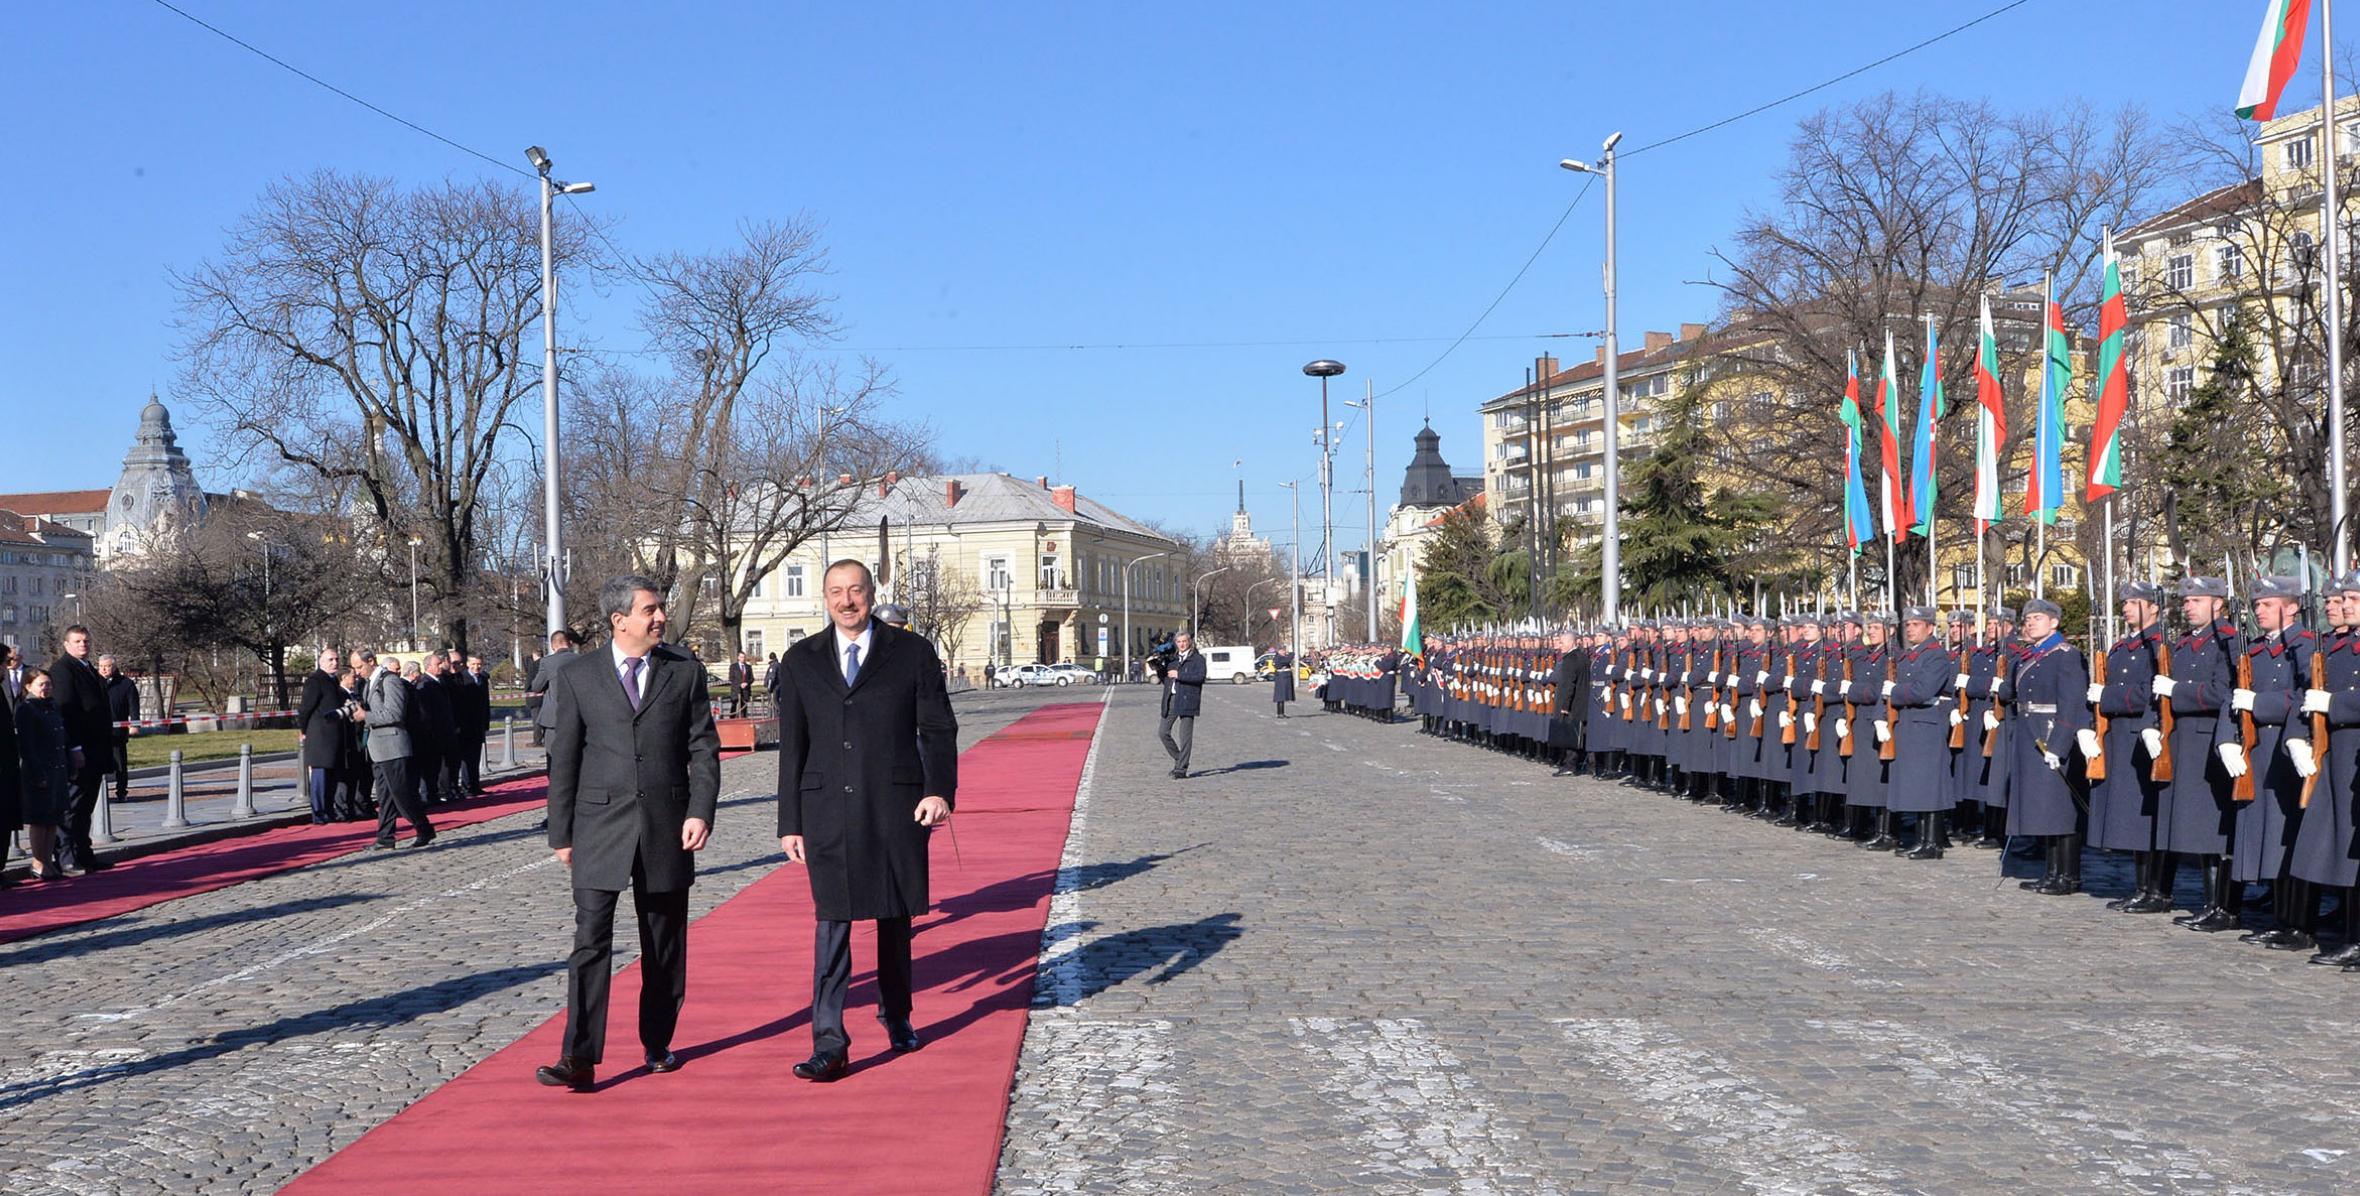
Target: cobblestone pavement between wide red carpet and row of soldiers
[(1356, 959)]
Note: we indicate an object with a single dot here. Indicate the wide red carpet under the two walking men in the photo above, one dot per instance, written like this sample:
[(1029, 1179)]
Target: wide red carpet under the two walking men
[(735, 1119)]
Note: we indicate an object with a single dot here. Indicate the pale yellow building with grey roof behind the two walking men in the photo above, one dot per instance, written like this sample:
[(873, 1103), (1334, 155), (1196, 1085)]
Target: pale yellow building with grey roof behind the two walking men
[(1007, 572)]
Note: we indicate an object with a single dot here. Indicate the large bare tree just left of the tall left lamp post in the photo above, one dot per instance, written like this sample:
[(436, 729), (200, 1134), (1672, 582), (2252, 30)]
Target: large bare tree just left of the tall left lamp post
[(374, 336)]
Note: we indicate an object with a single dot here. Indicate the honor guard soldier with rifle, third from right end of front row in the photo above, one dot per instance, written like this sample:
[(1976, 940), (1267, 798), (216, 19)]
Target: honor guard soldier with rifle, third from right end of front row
[(2201, 813)]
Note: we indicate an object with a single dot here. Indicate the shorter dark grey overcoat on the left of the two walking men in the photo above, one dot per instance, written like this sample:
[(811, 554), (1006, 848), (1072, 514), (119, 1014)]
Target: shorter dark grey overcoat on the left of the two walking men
[(624, 782)]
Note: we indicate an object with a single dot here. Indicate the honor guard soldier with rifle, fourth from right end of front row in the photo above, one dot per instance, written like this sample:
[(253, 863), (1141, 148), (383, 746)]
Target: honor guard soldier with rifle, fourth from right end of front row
[(2123, 808)]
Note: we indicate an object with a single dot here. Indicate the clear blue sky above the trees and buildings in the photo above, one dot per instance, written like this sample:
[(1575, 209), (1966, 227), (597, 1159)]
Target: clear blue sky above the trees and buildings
[(1335, 178)]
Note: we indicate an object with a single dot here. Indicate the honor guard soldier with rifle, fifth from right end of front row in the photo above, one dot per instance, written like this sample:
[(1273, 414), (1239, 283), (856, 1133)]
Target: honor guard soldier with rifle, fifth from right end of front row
[(2047, 709)]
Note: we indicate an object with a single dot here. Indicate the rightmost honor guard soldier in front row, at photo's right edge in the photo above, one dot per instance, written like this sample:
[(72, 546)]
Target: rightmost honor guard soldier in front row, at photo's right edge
[(2326, 850)]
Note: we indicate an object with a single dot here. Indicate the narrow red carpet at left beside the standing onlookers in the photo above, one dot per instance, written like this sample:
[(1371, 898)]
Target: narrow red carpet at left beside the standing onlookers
[(169, 876)]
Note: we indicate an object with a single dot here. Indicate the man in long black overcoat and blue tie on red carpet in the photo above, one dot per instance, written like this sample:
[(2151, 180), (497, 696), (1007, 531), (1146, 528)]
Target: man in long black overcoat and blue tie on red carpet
[(867, 770)]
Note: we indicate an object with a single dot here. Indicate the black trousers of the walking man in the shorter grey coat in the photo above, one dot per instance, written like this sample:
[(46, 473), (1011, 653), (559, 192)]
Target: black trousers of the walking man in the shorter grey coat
[(664, 968)]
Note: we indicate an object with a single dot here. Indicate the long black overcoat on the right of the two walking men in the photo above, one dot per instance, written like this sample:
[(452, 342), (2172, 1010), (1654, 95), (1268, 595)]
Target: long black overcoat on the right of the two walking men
[(855, 763)]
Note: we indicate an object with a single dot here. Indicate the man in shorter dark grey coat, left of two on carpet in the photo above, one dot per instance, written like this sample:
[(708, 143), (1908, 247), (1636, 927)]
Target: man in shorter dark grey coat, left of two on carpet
[(636, 770)]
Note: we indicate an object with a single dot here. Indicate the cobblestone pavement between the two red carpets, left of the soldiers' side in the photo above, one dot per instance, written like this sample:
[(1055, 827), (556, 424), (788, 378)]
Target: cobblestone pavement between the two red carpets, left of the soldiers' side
[(230, 1041)]
